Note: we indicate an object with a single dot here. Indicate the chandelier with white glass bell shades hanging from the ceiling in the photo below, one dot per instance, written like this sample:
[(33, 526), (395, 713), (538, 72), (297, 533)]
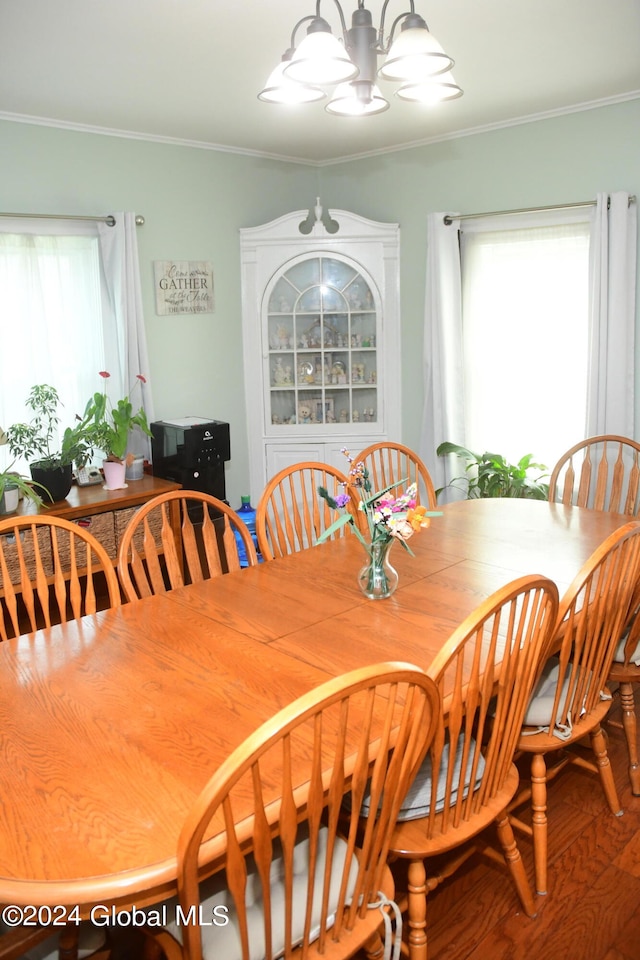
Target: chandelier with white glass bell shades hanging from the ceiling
[(413, 58)]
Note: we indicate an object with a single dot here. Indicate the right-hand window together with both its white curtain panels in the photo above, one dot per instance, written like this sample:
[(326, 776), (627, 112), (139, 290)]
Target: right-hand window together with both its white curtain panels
[(557, 306)]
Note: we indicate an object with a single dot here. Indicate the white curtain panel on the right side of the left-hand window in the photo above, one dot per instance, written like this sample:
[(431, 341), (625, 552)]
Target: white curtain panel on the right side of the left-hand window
[(128, 342)]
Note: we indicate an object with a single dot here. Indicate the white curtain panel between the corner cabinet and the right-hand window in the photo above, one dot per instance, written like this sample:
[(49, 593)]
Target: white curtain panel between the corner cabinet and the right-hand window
[(443, 417)]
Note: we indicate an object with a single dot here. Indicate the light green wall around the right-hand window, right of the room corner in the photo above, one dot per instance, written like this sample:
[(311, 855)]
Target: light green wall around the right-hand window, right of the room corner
[(553, 161)]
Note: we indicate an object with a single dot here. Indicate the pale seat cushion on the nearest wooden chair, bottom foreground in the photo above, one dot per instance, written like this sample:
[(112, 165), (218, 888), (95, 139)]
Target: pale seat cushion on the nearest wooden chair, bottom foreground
[(222, 942)]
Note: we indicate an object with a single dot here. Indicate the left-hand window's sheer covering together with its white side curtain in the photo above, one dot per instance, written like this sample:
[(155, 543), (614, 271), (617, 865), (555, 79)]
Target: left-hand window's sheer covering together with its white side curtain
[(65, 314)]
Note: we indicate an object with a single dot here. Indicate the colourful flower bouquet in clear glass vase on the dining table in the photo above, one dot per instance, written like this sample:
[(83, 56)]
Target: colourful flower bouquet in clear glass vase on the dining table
[(388, 518)]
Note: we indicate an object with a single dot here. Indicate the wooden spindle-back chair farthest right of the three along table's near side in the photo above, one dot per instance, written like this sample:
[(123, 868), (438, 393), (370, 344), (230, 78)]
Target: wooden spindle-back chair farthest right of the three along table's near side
[(571, 699)]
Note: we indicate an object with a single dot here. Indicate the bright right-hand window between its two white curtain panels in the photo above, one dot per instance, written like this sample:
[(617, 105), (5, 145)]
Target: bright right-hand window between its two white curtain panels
[(525, 323)]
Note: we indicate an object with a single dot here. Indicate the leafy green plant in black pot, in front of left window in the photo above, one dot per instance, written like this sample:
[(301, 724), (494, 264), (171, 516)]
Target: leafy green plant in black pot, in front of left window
[(50, 459)]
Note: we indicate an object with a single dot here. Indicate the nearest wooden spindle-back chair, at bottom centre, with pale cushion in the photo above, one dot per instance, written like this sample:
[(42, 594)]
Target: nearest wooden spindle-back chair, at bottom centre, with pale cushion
[(295, 870)]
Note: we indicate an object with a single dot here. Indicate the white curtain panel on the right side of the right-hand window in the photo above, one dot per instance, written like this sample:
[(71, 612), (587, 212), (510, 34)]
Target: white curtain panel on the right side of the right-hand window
[(610, 400)]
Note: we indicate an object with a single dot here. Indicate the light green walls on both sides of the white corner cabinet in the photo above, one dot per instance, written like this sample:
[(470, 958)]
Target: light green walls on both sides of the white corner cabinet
[(194, 201)]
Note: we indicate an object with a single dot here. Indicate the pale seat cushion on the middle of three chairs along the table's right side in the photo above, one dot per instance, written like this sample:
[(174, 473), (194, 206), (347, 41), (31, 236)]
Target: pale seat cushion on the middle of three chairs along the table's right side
[(417, 802)]
